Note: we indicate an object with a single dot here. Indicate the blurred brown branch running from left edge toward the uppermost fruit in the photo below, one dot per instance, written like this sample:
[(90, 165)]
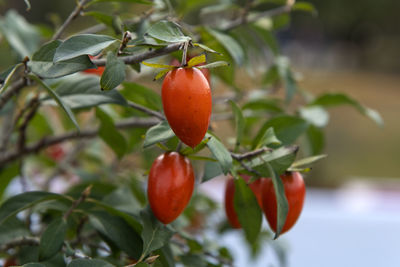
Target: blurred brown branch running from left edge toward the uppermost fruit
[(90, 133)]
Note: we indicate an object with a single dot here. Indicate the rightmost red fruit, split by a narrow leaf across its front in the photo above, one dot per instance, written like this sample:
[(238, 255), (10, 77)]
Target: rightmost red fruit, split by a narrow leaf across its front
[(295, 192)]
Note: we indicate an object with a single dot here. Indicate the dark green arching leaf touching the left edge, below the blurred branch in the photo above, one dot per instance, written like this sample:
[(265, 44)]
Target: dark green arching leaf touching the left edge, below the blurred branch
[(24, 201)]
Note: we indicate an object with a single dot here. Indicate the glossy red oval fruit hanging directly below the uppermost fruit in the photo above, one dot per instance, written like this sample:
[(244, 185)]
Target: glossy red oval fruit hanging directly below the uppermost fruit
[(170, 186)]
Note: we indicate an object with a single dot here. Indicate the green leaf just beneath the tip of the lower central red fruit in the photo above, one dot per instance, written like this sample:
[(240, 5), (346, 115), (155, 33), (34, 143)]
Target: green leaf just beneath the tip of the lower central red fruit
[(154, 234)]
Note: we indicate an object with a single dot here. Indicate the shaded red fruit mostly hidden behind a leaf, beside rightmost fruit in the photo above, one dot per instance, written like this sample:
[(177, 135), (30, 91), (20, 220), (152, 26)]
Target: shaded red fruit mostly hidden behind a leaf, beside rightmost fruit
[(230, 212)]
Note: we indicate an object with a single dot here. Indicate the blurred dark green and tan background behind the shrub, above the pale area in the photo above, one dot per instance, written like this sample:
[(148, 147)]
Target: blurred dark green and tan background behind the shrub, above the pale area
[(349, 46)]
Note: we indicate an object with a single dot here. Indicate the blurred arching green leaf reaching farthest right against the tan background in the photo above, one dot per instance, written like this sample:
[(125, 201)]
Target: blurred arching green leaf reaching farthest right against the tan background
[(336, 99)]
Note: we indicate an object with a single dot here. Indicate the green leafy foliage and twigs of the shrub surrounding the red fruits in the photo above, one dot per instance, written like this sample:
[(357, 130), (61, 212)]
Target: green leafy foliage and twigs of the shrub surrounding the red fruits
[(103, 220)]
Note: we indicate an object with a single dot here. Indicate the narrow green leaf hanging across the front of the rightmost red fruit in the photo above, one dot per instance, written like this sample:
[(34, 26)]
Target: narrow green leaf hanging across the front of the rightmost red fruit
[(281, 201)]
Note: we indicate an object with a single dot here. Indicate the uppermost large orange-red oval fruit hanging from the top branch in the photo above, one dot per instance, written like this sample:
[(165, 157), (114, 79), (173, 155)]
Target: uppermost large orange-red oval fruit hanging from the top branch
[(186, 98)]
